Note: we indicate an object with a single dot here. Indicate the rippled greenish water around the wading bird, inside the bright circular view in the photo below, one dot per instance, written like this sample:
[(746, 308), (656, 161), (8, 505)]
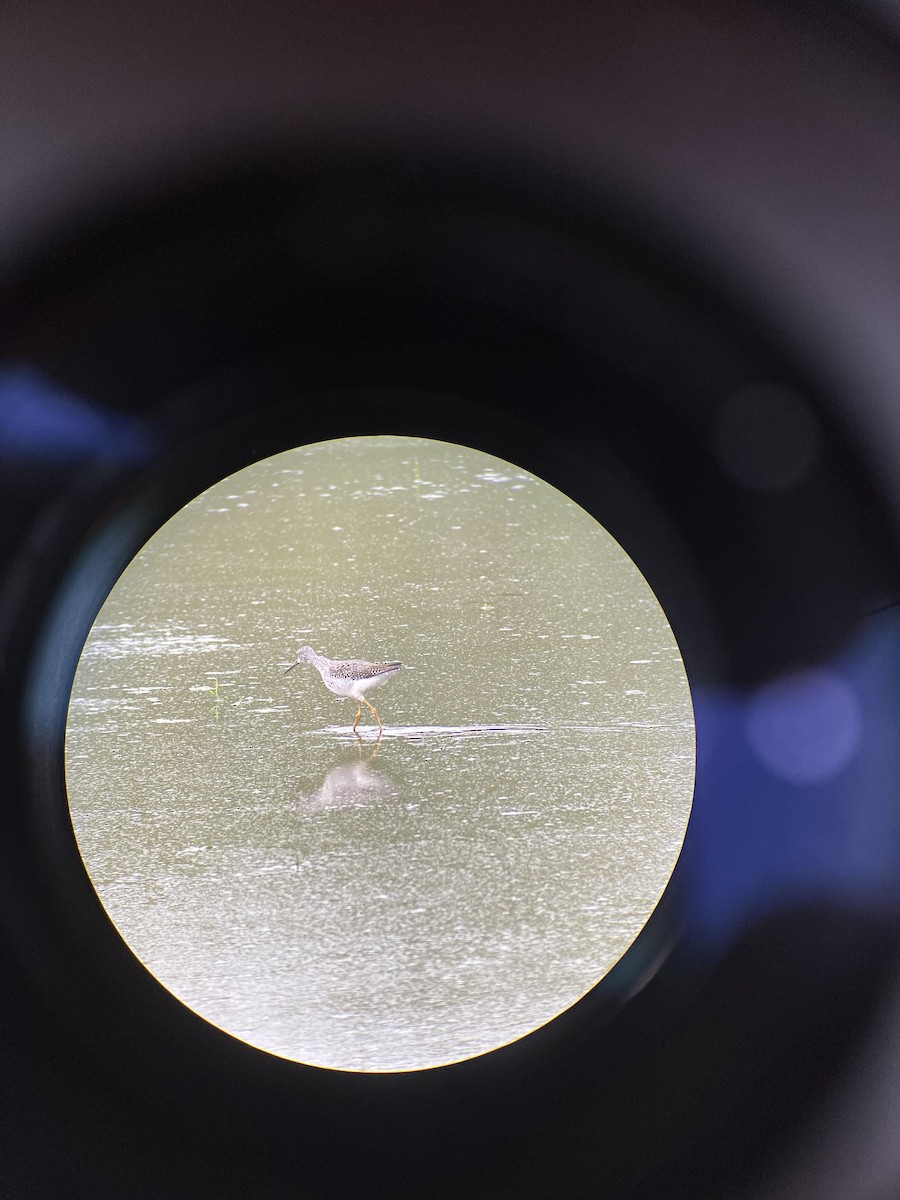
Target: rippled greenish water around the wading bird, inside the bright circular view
[(398, 903)]
